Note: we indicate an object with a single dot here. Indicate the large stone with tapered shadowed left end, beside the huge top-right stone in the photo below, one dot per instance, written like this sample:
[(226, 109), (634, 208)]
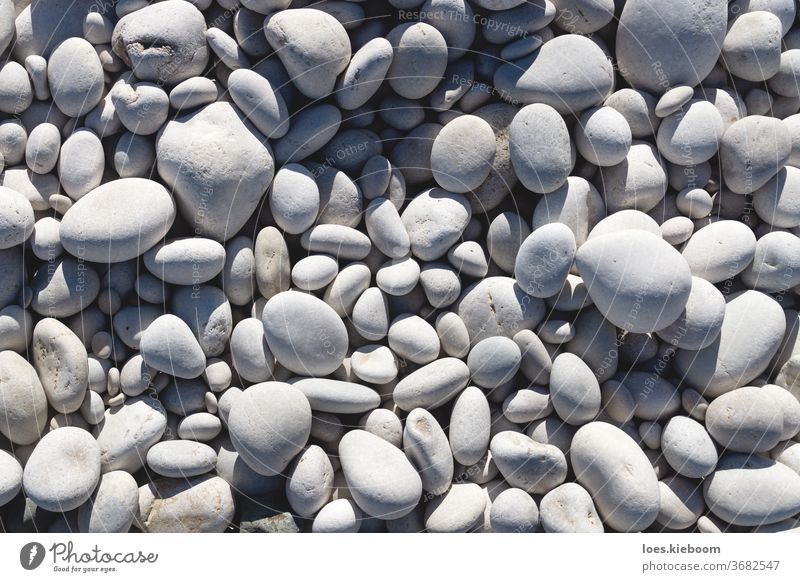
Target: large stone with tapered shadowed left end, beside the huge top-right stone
[(569, 73)]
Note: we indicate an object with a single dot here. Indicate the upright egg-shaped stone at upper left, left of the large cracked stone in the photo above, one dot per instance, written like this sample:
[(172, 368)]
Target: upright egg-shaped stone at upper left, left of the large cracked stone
[(75, 77)]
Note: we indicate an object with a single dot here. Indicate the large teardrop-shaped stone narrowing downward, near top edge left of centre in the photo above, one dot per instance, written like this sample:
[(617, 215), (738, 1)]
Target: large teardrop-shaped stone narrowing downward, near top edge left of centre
[(313, 47)]
